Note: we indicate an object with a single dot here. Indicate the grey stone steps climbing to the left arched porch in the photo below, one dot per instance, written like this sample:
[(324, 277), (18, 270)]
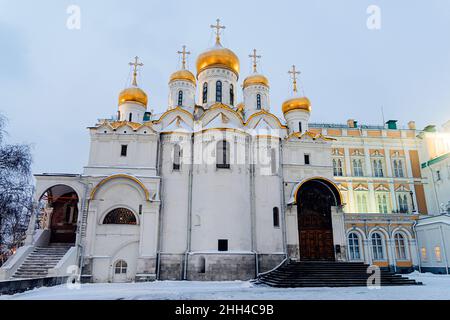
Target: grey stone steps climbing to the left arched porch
[(40, 260)]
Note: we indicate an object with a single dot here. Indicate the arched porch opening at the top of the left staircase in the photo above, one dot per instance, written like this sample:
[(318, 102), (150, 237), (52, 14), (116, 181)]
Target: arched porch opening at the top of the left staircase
[(60, 213)]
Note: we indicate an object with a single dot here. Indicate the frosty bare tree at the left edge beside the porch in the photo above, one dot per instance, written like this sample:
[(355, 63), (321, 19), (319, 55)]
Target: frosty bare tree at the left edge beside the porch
[(16, 193)]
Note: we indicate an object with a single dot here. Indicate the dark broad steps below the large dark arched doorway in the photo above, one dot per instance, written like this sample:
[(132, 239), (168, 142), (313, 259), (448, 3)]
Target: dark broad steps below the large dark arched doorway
[(327, 274)]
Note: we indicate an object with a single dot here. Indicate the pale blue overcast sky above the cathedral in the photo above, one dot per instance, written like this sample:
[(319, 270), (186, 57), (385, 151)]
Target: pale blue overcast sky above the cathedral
[(55, 82)]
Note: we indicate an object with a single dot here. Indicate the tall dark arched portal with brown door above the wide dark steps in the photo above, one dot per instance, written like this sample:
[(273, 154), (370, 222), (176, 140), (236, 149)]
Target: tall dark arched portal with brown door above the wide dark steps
[(314, 201)]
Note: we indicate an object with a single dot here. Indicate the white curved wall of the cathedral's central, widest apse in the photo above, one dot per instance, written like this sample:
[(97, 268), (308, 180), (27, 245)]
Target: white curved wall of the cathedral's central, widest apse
[(221, 197)]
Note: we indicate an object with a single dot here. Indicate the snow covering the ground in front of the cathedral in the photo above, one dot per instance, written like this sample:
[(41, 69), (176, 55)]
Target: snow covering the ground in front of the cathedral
[(436, 287)]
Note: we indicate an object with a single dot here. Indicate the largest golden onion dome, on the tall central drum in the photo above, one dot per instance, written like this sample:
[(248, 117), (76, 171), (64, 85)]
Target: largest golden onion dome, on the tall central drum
[(219, 57)]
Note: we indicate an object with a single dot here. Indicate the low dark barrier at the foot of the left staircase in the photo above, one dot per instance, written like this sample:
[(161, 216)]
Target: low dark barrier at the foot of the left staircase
[(17, 286)]
